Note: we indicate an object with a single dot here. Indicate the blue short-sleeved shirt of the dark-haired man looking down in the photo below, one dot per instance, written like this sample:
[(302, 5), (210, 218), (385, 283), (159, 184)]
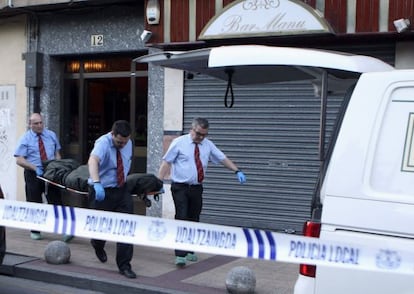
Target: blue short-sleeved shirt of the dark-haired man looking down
[(105, 150)]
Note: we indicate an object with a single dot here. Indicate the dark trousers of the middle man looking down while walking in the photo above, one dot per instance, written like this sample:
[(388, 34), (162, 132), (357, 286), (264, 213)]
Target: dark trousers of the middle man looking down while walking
[(116, 200)]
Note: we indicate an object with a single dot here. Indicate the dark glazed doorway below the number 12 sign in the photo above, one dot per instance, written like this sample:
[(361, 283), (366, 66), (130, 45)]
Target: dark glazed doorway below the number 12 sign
[(96, 93)]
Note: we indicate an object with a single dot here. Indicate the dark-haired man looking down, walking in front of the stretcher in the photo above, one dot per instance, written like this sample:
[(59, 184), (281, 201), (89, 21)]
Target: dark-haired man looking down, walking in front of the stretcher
[(109, 163)]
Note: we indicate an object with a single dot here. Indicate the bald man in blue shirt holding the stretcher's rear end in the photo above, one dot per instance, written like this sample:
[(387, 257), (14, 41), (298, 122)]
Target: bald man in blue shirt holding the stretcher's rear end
[(28, 156)]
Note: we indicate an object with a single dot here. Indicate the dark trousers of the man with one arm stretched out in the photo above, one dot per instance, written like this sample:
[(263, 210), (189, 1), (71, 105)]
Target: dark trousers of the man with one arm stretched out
[(188, 202)]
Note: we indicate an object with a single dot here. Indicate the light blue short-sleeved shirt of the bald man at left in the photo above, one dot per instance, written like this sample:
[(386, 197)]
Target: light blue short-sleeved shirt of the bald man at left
[(28, 146)]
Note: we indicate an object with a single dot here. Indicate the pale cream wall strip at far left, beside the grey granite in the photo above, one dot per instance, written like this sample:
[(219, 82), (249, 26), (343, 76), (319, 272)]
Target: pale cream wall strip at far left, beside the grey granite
[(12, 98)]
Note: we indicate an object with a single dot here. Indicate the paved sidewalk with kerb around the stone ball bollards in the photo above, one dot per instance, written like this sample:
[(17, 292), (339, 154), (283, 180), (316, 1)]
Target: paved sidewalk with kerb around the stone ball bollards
[(154, 267)]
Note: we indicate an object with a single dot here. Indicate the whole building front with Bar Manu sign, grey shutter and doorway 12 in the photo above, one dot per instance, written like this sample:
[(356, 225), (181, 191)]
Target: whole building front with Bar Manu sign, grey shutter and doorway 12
[(73, 61)]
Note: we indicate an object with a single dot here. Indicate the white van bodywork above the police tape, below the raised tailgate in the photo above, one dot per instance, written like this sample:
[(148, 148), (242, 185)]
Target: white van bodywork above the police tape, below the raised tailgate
[(368, 171)]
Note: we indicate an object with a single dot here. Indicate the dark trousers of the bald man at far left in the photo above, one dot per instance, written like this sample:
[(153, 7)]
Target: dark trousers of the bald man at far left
[(35, 187)]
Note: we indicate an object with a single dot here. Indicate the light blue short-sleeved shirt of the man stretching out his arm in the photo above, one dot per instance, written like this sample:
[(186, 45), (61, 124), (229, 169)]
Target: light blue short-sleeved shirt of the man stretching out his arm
[(181, 155)]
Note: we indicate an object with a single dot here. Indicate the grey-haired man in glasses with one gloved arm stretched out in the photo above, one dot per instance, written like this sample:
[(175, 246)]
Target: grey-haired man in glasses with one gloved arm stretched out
[(187, 159)]
